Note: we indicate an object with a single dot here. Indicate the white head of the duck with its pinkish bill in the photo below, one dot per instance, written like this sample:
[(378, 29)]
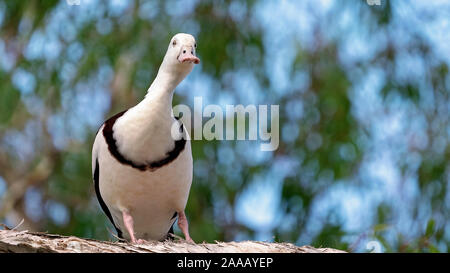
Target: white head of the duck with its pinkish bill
[(180, 55)]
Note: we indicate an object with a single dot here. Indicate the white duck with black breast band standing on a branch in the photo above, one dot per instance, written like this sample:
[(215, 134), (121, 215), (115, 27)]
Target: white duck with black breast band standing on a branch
[(143, 174)]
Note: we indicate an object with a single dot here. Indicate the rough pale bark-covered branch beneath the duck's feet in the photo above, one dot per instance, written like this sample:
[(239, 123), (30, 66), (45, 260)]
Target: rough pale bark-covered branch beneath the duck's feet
[(25, 241)]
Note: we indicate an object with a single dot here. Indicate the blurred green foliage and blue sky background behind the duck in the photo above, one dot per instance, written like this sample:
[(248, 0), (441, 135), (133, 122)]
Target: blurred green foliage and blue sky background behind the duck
[(363, 90)]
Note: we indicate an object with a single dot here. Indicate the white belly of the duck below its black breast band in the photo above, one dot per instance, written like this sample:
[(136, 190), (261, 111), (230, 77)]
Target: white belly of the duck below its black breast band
[(151, 197)]
